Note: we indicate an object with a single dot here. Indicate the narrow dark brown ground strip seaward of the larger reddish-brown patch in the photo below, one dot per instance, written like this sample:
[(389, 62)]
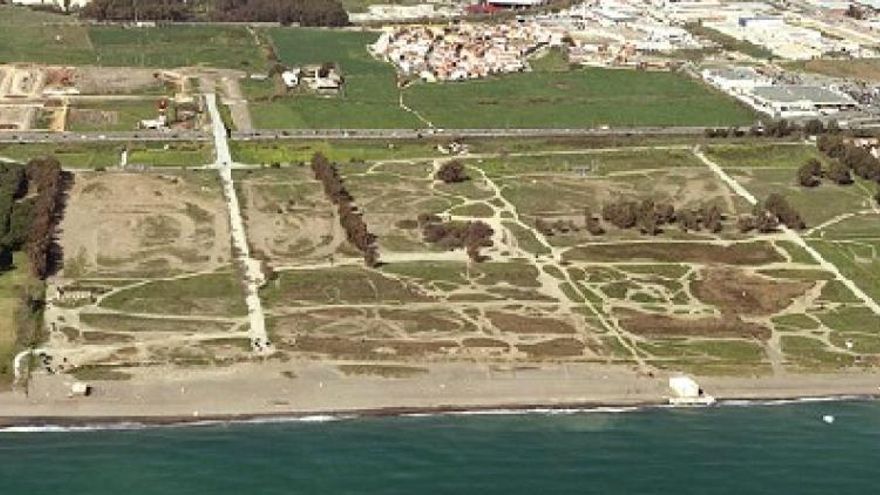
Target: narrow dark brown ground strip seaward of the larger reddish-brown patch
[(654, 325)]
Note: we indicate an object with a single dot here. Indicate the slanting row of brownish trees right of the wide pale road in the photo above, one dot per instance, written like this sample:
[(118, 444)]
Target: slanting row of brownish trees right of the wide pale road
[(350, 218)]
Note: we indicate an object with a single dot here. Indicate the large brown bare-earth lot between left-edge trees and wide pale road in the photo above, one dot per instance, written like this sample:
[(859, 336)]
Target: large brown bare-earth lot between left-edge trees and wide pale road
[(122, 223)]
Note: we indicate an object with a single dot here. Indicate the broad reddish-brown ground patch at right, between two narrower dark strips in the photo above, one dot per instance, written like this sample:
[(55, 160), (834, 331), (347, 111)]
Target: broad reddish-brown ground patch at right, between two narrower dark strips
[(736, 292)]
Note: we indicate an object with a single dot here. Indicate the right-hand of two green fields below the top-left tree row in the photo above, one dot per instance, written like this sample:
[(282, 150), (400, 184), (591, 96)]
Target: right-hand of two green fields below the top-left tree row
[(175, 46)]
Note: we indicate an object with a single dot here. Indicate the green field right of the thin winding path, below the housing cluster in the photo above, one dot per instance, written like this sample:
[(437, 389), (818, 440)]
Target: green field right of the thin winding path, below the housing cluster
[(577, 98)]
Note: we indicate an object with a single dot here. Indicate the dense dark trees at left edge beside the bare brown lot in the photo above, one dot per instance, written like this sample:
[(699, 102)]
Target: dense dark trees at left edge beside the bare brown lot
[(31, 197)]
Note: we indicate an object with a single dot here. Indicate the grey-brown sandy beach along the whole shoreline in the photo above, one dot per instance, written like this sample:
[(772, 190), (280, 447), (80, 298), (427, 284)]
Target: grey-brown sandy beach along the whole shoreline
[(312, 388)]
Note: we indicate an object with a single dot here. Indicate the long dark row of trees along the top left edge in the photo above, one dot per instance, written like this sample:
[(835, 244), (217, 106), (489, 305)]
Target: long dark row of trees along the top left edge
[(304, 12)]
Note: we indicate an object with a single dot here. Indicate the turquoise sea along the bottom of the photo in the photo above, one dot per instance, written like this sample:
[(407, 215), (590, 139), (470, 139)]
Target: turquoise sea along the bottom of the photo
[(773, 449)]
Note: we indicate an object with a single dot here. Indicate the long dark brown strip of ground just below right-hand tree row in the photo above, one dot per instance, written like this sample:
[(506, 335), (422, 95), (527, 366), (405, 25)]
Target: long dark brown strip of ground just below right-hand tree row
[(751, 253)]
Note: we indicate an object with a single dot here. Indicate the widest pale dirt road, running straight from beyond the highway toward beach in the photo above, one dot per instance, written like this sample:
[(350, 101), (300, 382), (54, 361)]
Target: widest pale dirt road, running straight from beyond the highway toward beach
[(253, 274)]
